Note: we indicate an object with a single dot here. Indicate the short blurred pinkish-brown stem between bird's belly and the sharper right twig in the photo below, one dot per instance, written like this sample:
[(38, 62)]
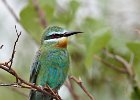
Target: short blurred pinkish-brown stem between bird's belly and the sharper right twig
[(69, 85)]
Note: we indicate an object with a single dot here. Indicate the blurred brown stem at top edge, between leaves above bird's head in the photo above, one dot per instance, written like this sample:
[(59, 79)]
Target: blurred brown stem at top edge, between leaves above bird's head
[(40, 12)]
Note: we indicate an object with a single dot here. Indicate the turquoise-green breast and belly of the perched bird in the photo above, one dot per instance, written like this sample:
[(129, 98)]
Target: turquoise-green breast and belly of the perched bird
[(54, 68)]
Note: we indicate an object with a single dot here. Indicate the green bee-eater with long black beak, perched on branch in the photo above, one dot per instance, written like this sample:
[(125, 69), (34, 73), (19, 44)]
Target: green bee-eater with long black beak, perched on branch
[(51, 64)]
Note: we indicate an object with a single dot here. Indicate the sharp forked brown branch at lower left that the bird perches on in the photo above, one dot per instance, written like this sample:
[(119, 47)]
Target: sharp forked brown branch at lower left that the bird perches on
[(20, 83)]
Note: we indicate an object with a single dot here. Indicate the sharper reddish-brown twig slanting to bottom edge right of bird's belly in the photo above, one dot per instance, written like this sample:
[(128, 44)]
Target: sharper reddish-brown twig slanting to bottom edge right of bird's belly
[(79, 82)]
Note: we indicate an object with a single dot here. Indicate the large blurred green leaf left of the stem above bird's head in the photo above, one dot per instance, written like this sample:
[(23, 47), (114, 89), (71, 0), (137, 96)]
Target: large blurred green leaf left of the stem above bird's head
[(29, 20)]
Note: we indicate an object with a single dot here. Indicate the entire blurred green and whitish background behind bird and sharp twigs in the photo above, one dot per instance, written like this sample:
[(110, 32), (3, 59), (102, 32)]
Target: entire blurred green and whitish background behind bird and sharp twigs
[(106, 56)]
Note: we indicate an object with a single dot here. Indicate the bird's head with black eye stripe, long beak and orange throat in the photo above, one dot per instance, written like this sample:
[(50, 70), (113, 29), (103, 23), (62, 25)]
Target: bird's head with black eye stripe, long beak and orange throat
[(56, 36)]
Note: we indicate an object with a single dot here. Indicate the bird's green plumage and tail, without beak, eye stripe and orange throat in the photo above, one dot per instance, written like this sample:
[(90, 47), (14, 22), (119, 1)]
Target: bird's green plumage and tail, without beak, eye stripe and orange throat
[(50, 65)]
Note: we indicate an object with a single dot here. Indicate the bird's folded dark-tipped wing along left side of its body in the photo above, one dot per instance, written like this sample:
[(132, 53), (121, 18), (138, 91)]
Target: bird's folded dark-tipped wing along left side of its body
[(35, 68)]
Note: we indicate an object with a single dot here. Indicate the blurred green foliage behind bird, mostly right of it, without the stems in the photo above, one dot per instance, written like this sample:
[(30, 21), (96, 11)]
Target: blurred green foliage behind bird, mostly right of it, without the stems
[(104, 83)]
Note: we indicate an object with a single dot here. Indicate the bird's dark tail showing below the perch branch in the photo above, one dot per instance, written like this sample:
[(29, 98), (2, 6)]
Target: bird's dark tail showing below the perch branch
[(35, 95)]
